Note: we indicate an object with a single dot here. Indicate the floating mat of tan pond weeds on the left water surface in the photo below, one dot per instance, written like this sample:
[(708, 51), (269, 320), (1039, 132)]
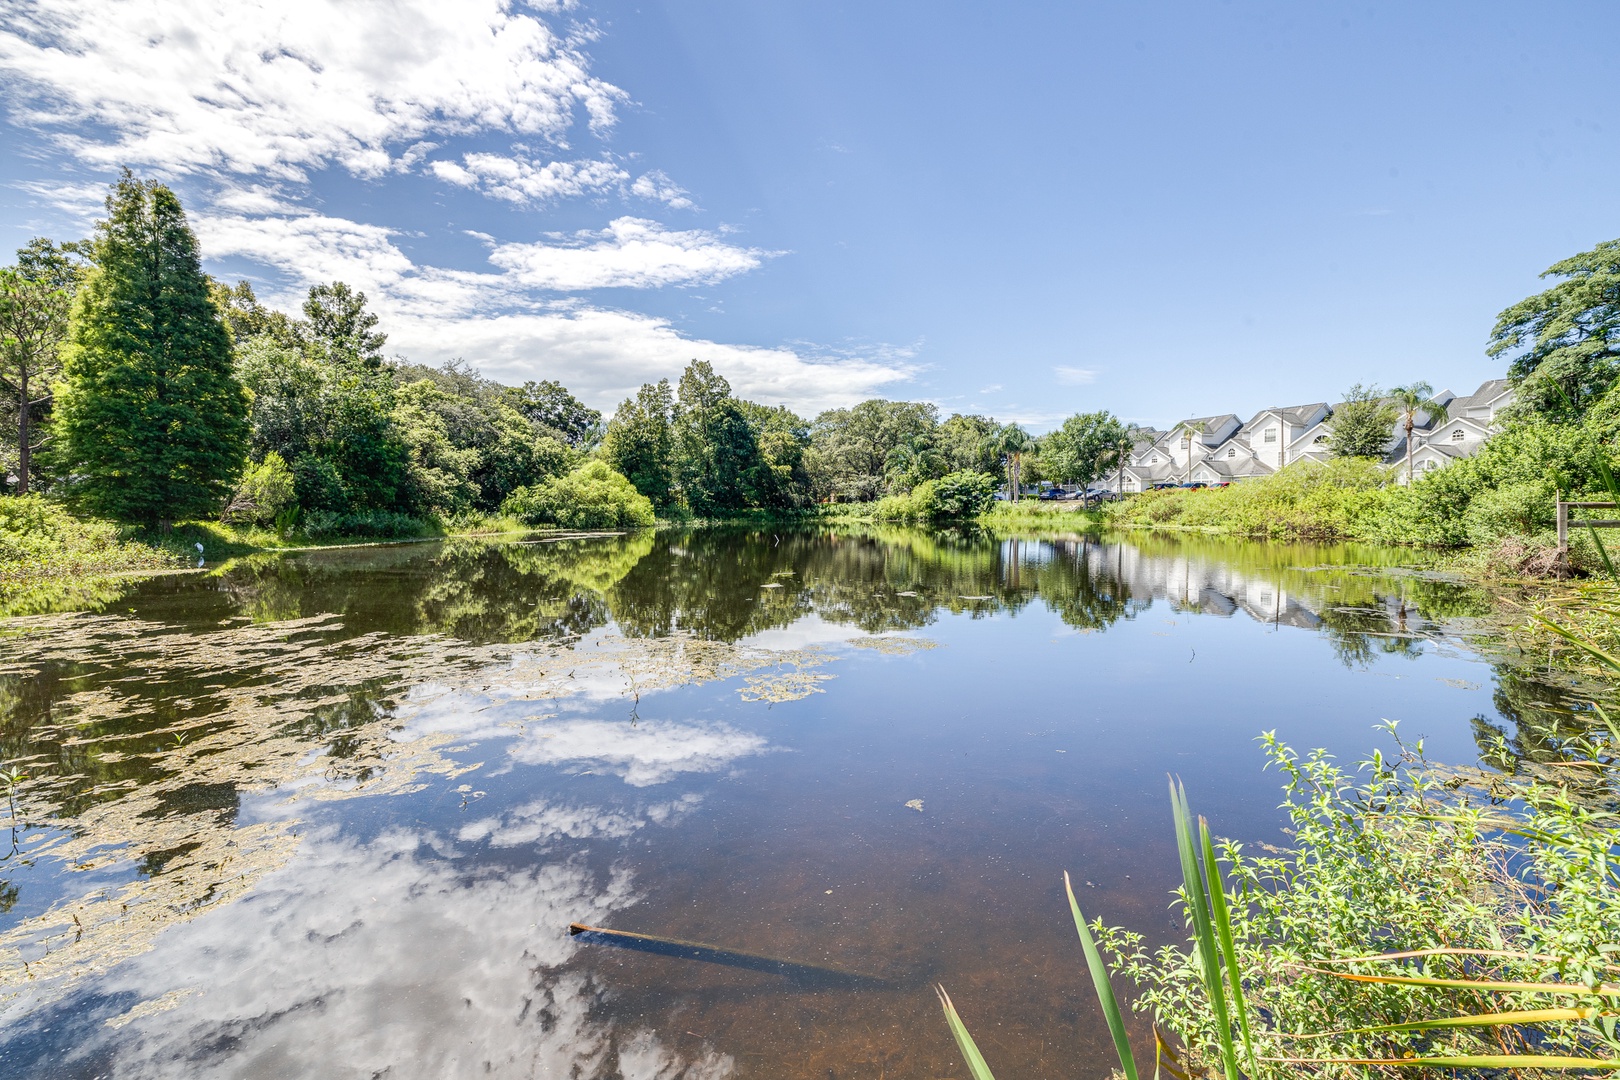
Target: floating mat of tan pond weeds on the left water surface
[(151, 772)]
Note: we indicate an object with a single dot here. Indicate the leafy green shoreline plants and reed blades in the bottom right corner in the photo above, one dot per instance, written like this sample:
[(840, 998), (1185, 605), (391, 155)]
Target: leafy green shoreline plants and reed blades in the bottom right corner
[(1412, 925)]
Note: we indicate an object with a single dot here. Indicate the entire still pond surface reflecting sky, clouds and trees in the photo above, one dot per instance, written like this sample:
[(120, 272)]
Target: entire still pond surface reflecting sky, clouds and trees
[(331, 814)]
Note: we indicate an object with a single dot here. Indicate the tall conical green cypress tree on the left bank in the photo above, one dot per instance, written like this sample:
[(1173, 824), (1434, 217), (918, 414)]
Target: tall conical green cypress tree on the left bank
[(151, 417)]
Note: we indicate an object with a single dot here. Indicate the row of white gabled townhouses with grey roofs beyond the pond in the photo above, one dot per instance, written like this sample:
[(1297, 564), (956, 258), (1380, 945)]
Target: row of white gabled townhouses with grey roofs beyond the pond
[(1222, 449)]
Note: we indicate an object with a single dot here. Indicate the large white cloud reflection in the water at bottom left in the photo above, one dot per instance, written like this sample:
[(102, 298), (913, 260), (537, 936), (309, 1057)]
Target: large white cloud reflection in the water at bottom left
[(365, 958)]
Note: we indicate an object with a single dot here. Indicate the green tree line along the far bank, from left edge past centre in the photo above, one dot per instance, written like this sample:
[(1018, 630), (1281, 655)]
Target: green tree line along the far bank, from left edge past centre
[(143, 391)]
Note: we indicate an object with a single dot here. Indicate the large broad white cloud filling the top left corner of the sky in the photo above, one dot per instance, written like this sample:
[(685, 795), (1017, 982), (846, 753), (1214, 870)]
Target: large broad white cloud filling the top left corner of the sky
[(265, 88)]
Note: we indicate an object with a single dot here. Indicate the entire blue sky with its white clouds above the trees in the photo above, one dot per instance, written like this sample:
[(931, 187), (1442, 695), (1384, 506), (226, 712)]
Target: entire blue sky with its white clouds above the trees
[(1023, 210)]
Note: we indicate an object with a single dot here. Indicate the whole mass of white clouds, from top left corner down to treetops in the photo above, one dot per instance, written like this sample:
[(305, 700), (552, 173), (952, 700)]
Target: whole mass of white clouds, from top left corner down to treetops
[(245, 100)]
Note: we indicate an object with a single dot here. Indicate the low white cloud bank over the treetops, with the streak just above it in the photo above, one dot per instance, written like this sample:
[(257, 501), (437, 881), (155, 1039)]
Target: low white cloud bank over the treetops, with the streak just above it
[(435, 315)]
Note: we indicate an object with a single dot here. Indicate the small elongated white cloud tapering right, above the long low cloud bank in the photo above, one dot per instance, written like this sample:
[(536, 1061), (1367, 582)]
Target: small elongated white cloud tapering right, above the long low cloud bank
[(631, 253)]
